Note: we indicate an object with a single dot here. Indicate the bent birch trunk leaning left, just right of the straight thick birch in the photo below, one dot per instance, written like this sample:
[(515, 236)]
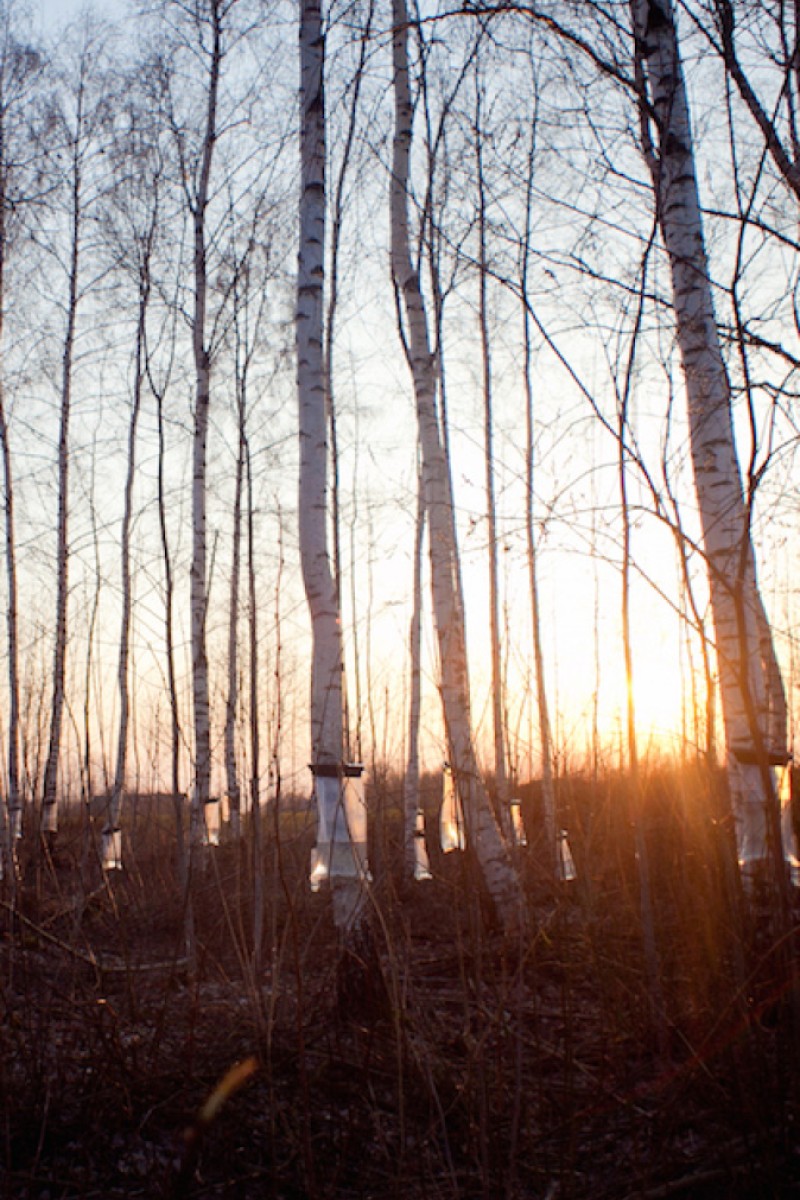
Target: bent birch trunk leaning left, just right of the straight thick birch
[(491, 851)]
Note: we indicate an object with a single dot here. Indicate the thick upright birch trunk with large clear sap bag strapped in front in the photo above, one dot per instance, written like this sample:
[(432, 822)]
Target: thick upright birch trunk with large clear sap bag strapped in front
[(336, 854)]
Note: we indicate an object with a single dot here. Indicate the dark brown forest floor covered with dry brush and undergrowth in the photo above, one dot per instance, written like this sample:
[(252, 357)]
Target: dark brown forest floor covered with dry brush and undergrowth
[(443, 1060)]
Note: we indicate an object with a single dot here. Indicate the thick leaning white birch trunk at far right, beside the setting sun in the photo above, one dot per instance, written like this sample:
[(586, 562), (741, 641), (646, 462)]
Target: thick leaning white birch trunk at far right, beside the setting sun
[(754, 705)]
